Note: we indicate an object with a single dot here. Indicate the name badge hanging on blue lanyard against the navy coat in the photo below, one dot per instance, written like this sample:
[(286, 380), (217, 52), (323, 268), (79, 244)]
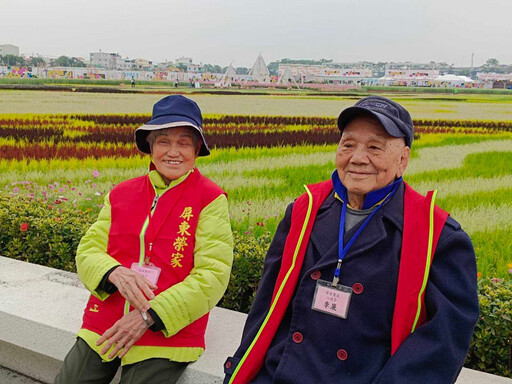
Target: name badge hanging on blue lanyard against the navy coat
[(331, 300)]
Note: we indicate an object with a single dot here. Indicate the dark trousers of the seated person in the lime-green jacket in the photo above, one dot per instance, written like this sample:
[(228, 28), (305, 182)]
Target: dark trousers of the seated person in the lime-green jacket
[(82, 365)]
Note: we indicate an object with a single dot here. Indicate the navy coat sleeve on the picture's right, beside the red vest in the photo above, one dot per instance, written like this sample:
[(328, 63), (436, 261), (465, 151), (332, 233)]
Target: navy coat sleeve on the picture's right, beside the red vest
[(435, 352)]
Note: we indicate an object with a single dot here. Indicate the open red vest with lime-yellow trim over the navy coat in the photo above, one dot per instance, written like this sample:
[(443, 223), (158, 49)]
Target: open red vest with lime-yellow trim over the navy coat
[(416, 257)]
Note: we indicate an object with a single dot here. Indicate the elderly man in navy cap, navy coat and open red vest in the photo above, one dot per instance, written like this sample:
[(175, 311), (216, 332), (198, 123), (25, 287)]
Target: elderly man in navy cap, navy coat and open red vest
[(366, 281)]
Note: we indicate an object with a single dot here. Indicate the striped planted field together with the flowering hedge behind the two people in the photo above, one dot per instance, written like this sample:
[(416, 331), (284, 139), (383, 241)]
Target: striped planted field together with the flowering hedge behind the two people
[(55, 171)]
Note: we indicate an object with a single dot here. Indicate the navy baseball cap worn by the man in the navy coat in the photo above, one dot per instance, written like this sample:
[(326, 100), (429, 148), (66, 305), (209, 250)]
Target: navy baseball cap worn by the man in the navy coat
[(393, 117)]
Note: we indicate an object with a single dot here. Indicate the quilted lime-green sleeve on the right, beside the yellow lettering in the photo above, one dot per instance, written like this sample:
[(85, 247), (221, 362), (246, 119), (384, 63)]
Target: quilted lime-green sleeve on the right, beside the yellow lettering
[(187, 301)]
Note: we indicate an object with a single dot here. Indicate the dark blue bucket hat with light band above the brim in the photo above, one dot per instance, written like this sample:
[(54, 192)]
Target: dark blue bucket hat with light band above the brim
[(170, 112)]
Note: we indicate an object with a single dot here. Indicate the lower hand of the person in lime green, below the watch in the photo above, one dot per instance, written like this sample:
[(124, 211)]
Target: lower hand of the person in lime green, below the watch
[(123, 334)]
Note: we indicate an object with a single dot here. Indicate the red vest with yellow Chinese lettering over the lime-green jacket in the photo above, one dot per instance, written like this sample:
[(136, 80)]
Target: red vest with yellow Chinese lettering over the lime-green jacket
[(171, 230)]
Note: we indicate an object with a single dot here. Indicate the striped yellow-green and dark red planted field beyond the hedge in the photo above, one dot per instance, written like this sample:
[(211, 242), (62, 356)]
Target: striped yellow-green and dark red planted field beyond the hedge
[(71, 161)]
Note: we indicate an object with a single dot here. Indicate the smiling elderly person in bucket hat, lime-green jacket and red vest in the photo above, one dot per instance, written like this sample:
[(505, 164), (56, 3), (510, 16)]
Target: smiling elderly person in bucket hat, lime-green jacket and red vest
[(156, 261)]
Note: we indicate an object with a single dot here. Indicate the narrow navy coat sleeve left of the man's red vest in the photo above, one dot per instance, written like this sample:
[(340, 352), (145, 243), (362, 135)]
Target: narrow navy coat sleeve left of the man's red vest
[(262, 301)]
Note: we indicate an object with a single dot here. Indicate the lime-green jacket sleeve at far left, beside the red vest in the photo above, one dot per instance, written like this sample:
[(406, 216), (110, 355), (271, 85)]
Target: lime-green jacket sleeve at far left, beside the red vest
[(92, 259)]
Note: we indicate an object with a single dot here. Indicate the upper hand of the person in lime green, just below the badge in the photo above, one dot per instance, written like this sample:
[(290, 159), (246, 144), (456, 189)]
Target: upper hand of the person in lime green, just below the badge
[(133, 287)]
